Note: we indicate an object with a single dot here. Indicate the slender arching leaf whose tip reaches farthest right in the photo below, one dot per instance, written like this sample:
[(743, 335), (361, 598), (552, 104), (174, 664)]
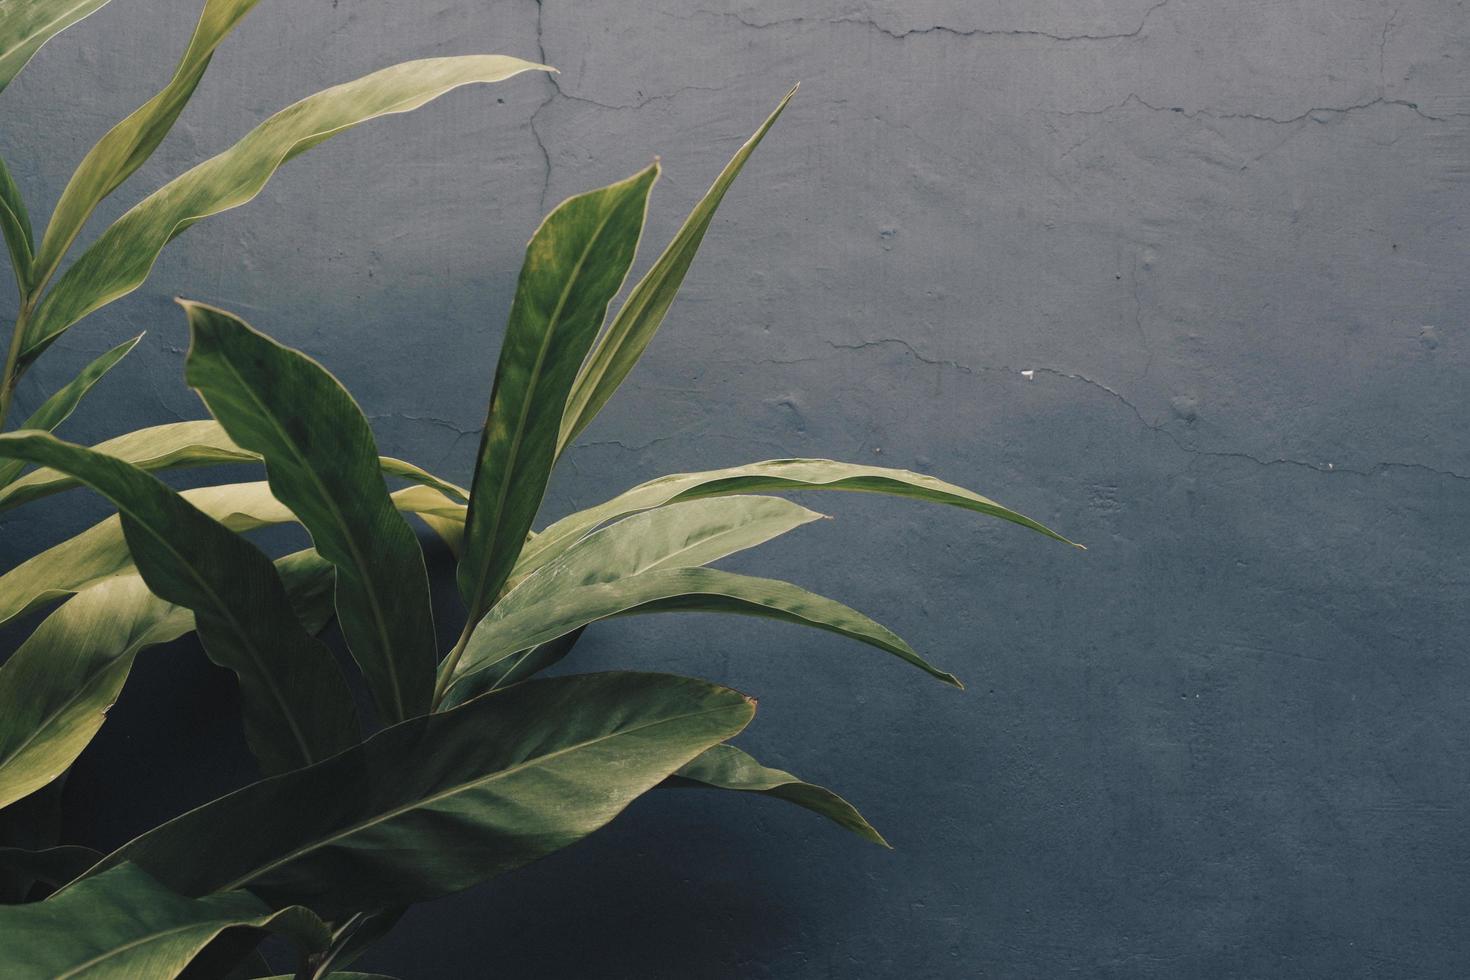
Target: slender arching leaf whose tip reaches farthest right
[(768, 477)]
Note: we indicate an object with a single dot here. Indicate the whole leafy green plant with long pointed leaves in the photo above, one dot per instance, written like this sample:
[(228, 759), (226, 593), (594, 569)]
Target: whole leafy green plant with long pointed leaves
[(477, 766)]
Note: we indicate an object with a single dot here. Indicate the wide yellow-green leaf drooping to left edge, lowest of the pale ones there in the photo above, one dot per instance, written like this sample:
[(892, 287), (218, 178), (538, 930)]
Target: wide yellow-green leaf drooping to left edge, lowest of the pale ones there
[(58, 687)]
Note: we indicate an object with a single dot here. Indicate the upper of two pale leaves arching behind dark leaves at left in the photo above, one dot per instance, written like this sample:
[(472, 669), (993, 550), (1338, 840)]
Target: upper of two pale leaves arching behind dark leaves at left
[(186, 444)]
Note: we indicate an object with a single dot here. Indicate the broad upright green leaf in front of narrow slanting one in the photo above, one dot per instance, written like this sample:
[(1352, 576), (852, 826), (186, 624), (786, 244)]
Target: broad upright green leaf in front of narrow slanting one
[(574, 267)]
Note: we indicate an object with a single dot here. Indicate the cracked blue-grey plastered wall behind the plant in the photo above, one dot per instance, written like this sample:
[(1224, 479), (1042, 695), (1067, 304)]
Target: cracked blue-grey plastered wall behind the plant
[(1186, 278)]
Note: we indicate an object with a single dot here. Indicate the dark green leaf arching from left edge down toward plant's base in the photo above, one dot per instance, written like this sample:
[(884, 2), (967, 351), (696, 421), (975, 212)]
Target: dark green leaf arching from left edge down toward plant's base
[(296, 703)]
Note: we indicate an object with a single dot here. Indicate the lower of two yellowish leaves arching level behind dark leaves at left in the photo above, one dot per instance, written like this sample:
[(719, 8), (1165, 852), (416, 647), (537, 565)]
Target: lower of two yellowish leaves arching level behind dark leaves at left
[(101, 552)]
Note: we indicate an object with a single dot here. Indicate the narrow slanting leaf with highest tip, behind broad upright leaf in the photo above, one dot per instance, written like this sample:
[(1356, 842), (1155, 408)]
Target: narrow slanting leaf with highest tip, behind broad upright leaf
[(639, 320)]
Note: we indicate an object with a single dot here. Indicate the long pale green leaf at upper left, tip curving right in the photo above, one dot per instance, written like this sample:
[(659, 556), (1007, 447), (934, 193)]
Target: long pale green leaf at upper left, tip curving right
[(121, 259)]
